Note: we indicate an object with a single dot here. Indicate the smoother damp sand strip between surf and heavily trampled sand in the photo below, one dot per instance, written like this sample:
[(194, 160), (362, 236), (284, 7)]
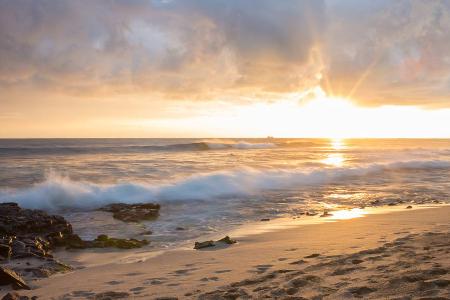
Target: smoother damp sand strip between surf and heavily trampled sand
[(176, 272)]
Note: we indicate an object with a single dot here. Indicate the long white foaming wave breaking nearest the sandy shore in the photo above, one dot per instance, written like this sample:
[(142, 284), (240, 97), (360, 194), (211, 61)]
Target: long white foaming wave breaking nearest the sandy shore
[(58, 193)]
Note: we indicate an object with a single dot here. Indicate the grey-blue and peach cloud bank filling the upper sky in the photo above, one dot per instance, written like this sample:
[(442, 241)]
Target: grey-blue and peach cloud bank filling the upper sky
[(377, 51)]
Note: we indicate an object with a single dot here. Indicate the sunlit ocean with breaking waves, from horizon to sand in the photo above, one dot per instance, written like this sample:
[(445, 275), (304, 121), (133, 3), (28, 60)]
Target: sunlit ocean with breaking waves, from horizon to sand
[(207, 186)]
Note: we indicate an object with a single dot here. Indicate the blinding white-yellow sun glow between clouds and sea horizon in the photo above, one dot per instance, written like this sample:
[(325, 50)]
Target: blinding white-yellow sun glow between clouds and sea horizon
[(299, 116)]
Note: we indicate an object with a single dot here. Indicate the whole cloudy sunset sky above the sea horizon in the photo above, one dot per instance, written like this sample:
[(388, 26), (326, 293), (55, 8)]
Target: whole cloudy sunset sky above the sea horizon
[(224, 68)]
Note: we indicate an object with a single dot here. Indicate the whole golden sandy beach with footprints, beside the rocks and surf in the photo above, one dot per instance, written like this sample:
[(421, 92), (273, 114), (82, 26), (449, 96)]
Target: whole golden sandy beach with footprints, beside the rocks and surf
[(392, 253)]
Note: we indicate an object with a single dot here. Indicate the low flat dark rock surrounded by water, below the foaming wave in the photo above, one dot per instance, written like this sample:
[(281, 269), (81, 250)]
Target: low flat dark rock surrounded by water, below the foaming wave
[(133, 212)]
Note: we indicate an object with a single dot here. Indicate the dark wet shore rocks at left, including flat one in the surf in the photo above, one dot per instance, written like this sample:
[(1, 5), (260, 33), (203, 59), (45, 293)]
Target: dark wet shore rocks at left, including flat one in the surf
[(28, 238)]
